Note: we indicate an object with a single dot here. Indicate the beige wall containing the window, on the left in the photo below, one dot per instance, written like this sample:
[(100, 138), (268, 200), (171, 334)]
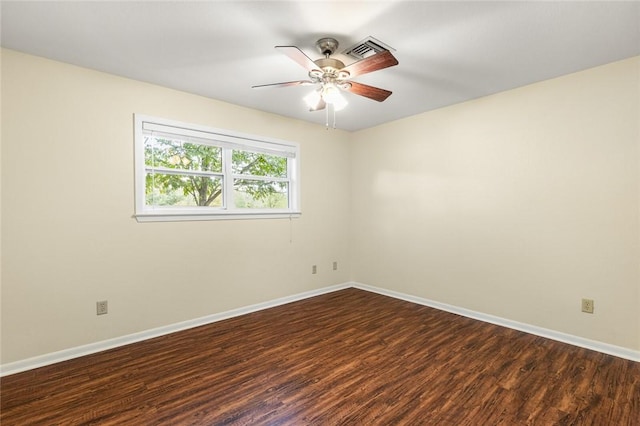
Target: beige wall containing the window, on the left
[(68, 237)]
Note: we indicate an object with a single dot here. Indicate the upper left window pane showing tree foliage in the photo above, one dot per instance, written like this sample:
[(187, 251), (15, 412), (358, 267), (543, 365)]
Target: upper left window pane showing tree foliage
[(176, 154)]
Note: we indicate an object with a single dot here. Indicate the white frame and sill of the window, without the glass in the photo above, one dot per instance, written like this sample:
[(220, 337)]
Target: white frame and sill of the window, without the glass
[(227, 140)]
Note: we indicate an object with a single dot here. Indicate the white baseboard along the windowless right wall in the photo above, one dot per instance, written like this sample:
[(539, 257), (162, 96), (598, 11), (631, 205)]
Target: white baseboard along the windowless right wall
[(606, 348)]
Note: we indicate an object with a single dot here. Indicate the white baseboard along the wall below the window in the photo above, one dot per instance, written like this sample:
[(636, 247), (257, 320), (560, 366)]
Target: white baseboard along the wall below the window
[(91, 348)]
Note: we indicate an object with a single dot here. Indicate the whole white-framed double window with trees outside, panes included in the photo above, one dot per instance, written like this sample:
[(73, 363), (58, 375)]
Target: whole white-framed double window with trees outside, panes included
[(189, 172)]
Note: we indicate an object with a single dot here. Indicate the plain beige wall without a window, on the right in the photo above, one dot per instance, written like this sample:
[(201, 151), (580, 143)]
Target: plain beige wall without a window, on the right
[(516, 205)]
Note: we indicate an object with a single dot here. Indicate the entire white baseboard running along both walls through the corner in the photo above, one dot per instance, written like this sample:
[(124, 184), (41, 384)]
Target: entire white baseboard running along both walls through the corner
[(91, 348)]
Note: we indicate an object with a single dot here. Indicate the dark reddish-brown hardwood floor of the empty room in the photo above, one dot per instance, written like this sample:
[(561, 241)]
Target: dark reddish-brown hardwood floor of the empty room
[(344, 358)]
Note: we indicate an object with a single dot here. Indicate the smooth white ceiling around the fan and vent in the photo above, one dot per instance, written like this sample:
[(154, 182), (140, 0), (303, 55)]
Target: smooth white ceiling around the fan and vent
[(448, 52)]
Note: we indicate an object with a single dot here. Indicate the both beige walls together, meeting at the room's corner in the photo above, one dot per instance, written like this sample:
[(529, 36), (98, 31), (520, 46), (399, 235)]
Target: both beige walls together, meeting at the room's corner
[(516, 205)]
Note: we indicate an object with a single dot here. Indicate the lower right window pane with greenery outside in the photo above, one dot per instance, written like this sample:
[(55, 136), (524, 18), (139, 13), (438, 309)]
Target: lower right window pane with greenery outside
[(256, 194)]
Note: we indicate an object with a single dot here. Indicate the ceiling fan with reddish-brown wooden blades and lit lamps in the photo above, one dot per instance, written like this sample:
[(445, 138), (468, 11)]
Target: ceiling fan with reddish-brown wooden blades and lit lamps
[(333, 76)]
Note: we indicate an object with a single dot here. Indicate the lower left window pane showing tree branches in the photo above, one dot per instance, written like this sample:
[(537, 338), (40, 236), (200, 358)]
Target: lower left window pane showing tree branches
[(180, 190)]
